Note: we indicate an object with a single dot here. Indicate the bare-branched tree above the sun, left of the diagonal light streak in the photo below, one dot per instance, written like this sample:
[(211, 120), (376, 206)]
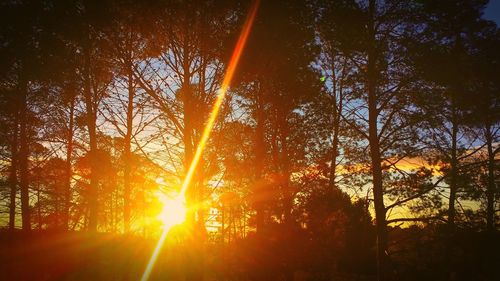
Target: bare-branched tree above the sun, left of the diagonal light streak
[(182, 75)]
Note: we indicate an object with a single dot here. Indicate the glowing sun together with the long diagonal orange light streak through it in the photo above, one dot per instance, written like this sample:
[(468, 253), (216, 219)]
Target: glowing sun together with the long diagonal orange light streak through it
[(174, 211)]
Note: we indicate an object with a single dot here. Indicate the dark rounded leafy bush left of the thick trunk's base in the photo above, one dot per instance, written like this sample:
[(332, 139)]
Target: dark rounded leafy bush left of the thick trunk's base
[(337, 227)]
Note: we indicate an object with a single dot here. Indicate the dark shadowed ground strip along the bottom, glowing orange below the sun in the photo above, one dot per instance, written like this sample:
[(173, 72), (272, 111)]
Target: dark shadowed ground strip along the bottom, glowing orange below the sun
[(282, 255)]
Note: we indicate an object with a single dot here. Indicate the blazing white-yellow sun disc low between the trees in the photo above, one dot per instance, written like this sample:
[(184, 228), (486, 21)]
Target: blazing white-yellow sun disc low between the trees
[(174, 210)]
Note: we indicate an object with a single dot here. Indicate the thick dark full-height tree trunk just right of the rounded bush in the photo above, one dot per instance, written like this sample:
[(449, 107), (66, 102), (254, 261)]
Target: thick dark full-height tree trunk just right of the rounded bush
[(378, 192)]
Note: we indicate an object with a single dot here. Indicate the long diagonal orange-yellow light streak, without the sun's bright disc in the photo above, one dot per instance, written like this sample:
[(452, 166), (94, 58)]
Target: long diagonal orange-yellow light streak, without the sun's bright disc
[(208, 128)]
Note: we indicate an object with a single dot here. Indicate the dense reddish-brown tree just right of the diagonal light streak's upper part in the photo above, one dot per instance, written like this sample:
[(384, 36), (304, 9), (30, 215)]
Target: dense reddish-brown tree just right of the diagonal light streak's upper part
[(274, 90)]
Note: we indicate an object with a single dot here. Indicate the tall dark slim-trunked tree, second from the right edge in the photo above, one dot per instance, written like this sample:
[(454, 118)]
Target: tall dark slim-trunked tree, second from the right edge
[(444, 58)]
